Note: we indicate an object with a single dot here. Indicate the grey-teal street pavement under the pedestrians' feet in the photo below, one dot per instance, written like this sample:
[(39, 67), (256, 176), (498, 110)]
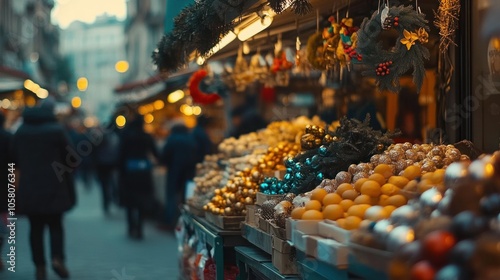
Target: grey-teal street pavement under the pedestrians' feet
[(98, 248)]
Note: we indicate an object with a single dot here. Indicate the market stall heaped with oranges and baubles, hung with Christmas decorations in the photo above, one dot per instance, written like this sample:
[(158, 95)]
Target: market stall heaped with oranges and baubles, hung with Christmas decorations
[(348, 197)]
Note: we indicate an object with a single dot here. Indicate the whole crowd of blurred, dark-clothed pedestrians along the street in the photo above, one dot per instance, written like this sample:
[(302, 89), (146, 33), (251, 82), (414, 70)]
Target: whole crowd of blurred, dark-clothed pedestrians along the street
[(50, 155)]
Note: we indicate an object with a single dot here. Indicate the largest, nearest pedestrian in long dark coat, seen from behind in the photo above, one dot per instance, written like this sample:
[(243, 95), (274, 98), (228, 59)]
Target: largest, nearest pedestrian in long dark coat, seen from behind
[(41, 151)]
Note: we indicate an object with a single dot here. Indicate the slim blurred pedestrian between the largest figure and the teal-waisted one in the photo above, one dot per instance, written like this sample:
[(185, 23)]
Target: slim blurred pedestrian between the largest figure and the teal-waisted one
[(106, 161)]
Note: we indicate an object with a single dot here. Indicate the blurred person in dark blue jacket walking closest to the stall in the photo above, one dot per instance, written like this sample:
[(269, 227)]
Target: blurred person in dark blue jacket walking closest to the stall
[(179, 155)]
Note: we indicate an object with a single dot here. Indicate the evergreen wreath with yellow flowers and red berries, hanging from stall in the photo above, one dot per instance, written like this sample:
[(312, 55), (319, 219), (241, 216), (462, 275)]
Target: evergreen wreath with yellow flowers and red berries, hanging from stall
[(387, 66)]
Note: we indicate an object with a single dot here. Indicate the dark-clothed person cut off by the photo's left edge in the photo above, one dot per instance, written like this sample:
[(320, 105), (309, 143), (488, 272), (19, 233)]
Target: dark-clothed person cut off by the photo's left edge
[(5, 160)]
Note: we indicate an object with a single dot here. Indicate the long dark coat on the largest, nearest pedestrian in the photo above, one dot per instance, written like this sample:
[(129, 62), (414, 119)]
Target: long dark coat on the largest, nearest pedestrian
[(40, 148)]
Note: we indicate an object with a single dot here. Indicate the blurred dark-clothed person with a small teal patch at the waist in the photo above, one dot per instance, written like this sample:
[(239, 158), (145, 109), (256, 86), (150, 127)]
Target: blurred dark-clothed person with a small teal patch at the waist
[(136, 174)]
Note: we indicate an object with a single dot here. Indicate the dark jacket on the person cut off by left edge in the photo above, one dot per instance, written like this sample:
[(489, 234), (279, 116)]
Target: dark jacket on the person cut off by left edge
[(5, 140)]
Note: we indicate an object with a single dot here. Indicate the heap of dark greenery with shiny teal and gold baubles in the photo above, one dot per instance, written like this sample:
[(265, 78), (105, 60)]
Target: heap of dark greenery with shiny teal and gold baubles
[(352, 141)]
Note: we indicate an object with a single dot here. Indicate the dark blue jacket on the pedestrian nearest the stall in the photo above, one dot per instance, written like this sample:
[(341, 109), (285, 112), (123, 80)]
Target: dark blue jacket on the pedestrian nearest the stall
[(179, 155)]
